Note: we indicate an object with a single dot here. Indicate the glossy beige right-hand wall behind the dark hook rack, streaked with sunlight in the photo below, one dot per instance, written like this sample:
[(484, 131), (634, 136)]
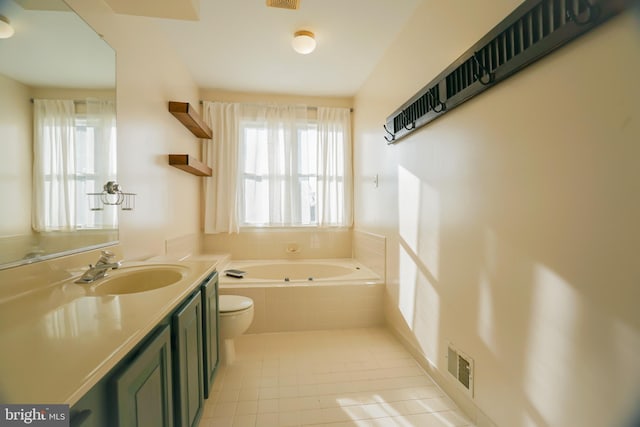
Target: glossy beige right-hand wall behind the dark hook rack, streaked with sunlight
[(516, 237)]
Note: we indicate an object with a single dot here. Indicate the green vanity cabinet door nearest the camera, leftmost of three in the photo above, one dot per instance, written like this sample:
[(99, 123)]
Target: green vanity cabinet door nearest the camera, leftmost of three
[(144, 387)]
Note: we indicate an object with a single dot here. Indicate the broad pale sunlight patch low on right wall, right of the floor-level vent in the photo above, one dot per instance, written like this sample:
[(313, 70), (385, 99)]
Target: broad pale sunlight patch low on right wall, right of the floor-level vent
[(551, 357)]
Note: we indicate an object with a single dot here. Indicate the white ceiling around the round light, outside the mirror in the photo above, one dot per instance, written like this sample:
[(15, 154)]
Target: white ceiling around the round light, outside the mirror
[(243, 45)]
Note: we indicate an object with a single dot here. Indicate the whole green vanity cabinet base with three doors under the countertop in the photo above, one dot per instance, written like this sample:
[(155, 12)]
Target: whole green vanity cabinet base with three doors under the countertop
[(164, 380)]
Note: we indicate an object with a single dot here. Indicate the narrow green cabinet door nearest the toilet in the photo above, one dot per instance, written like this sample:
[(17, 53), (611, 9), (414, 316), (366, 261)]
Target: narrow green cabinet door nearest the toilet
[(210, 331)]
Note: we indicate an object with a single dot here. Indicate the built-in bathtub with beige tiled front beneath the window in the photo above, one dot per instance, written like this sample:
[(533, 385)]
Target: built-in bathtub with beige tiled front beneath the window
[(342, 293)]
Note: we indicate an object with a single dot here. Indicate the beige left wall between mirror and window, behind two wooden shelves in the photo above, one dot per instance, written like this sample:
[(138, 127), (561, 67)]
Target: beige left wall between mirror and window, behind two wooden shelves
[(149, 74)]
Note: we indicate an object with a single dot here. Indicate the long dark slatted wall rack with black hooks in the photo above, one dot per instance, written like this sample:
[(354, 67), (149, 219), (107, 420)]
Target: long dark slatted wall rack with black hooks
[(533, 30)]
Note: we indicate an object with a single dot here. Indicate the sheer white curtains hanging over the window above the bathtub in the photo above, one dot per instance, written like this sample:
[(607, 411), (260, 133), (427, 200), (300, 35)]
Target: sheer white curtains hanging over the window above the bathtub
[(277, 165)]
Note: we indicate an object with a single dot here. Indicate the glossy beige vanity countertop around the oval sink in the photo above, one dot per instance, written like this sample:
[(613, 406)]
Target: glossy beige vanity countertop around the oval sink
[(59, 340)]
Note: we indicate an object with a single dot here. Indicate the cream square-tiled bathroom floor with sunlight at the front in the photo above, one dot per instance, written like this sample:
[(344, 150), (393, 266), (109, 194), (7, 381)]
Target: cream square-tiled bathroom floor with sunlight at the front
[(355, 377)]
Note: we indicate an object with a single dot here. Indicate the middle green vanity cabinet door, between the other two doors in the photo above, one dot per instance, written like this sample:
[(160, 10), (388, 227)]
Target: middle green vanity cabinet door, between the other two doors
[(187, 365)]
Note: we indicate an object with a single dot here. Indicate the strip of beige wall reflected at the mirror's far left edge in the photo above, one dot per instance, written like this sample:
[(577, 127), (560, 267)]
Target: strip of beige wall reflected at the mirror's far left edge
[(15, 161)]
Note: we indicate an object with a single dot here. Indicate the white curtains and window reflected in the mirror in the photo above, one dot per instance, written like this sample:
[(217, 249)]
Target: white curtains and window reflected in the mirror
[(74, 153)]
